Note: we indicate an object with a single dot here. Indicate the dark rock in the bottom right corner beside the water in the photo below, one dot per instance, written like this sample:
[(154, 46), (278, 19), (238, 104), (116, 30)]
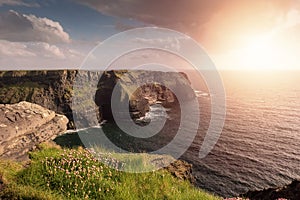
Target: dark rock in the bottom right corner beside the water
[(291, 192)]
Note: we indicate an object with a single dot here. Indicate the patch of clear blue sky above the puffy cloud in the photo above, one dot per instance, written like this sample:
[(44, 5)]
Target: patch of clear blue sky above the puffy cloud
[(80, 21)]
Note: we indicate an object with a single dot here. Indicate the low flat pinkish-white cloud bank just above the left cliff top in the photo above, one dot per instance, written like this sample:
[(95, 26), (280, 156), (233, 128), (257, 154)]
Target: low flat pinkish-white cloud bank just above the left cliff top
[(35, 55)]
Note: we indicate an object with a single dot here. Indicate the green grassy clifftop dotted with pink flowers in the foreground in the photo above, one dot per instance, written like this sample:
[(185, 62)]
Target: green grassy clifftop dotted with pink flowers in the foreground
[(56, 173)]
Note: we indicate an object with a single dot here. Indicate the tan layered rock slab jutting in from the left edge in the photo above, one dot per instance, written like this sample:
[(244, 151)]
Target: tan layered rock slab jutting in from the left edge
[(24, 125)]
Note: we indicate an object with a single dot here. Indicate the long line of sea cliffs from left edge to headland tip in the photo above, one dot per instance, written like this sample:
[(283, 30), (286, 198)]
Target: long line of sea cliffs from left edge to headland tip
[(54, 90)]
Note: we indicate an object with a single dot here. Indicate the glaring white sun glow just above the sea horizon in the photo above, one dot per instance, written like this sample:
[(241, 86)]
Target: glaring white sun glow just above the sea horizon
[(268, 52)]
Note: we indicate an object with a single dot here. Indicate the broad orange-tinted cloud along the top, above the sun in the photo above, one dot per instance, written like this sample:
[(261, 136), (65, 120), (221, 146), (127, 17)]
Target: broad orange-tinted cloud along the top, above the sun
[(217, 25)]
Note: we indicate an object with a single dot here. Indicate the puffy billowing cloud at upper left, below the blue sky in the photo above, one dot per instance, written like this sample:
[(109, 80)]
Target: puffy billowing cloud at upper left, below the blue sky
[(18, 27)]
